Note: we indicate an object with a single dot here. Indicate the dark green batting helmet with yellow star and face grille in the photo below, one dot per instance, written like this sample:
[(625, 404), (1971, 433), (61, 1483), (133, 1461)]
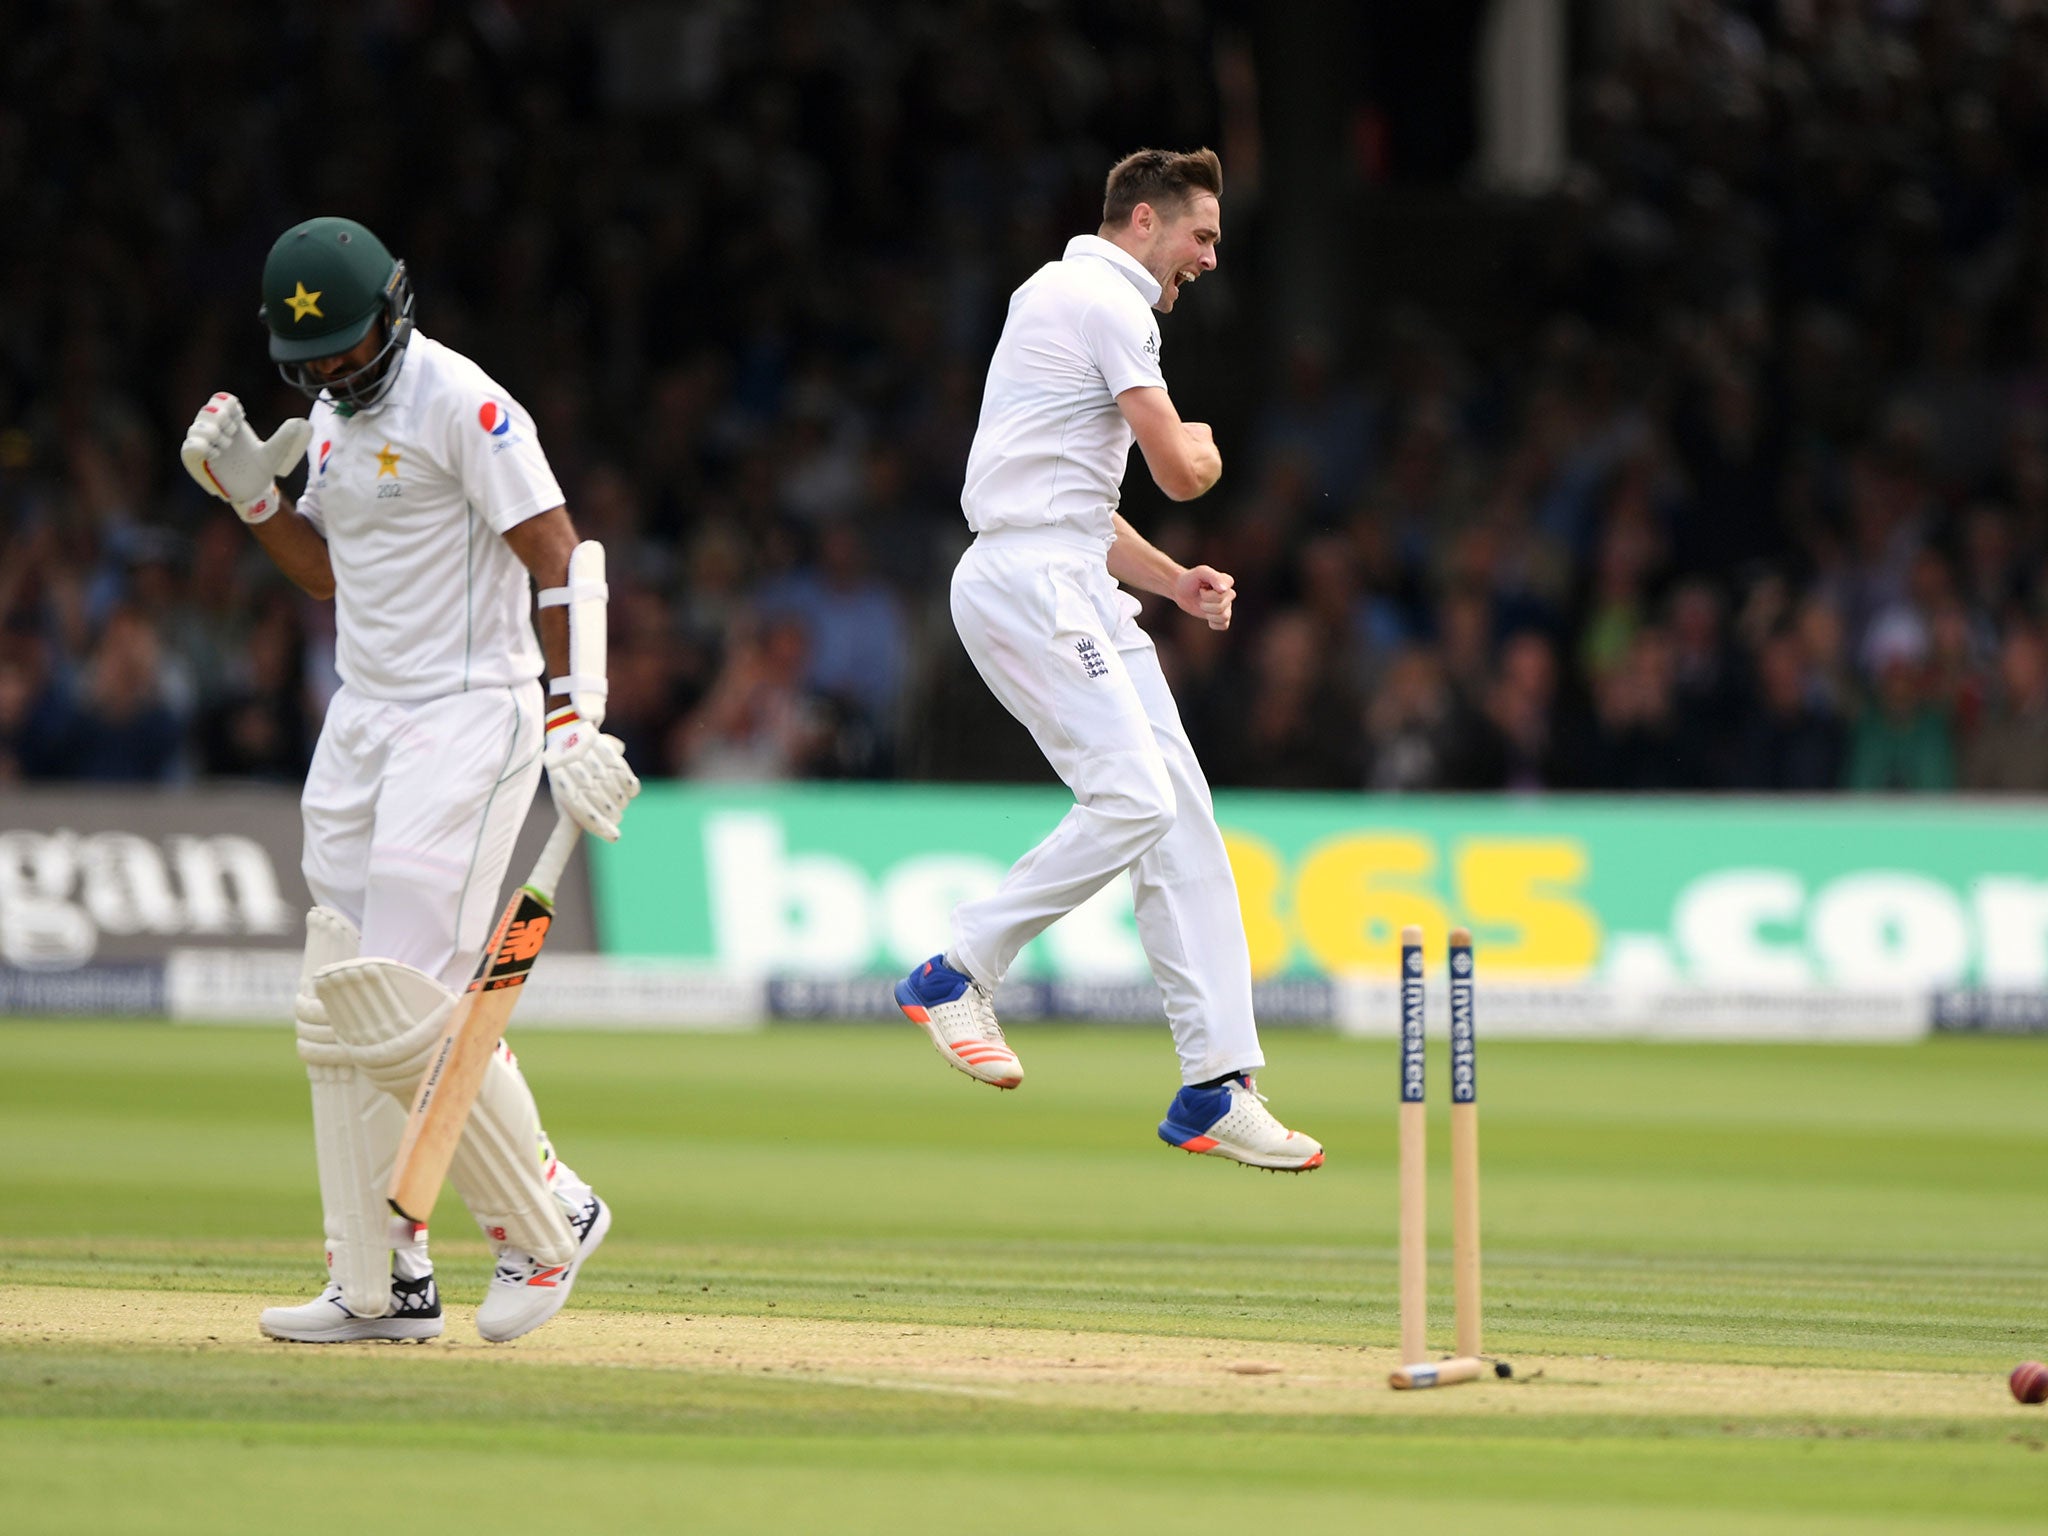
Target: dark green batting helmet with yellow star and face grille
[(325, 288)]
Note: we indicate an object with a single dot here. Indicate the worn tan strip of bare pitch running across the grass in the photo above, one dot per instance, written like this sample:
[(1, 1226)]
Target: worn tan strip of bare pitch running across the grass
[(1099, 1371)]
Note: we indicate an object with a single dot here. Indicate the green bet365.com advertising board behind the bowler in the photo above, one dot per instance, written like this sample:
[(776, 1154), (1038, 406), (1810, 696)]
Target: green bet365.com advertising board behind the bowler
[(1797, 894)]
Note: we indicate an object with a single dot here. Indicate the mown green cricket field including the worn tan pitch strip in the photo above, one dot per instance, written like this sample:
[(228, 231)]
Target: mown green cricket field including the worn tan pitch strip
[(1766, 1289)]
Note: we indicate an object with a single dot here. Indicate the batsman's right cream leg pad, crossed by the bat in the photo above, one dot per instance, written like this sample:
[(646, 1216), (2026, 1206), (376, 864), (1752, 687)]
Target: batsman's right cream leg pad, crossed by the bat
[(390, 1017)]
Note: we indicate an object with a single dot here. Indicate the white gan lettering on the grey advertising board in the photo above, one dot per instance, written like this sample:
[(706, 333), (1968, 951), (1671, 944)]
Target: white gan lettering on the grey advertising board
[(60, 892)]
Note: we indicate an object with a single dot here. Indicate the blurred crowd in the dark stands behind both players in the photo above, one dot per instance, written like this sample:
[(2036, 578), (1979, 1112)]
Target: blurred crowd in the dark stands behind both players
[(1736, 482)]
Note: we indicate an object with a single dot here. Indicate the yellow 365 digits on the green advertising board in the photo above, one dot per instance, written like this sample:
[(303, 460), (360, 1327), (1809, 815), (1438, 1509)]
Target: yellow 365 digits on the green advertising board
[(1345, 906)]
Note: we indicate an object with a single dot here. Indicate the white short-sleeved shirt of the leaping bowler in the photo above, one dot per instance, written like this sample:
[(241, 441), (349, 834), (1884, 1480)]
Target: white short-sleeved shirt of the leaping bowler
[(1052, 445)]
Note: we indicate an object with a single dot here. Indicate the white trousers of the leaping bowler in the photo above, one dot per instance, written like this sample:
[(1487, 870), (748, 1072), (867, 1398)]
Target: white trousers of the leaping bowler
[(1060, 646)]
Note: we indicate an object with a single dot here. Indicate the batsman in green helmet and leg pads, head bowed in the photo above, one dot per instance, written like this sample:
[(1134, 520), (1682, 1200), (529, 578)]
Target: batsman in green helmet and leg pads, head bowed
[(427, 509)]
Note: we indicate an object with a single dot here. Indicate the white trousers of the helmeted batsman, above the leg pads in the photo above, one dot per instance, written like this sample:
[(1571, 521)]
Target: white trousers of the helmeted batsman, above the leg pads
[(411, 816)]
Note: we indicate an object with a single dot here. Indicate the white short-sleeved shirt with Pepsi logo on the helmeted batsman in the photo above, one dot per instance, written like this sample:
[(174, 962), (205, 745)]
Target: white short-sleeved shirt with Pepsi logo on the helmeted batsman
[(413, 501)]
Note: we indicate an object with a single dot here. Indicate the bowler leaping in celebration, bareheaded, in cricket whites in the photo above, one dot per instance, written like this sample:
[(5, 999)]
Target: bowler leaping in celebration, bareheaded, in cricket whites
[(1074, 382)]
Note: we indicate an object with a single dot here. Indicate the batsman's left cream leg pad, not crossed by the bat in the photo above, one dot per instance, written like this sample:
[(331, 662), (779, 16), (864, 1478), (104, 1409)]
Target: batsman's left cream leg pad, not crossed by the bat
[(355, 1132)]
